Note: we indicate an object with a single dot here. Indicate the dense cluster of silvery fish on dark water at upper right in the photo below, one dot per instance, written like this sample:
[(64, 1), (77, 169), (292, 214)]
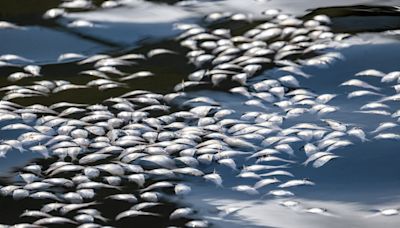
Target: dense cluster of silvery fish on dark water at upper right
[(276, 42)]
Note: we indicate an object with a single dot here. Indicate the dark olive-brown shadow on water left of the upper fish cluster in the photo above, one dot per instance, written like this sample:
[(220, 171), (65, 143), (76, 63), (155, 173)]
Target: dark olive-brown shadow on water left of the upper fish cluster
[(168, 70)]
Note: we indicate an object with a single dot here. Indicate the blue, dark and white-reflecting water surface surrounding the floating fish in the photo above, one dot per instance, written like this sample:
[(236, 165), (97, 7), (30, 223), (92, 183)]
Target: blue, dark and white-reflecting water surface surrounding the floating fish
[(365, 178)]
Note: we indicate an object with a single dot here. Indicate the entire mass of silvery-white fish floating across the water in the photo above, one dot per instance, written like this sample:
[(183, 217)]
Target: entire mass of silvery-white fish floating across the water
[(139, 148)]
